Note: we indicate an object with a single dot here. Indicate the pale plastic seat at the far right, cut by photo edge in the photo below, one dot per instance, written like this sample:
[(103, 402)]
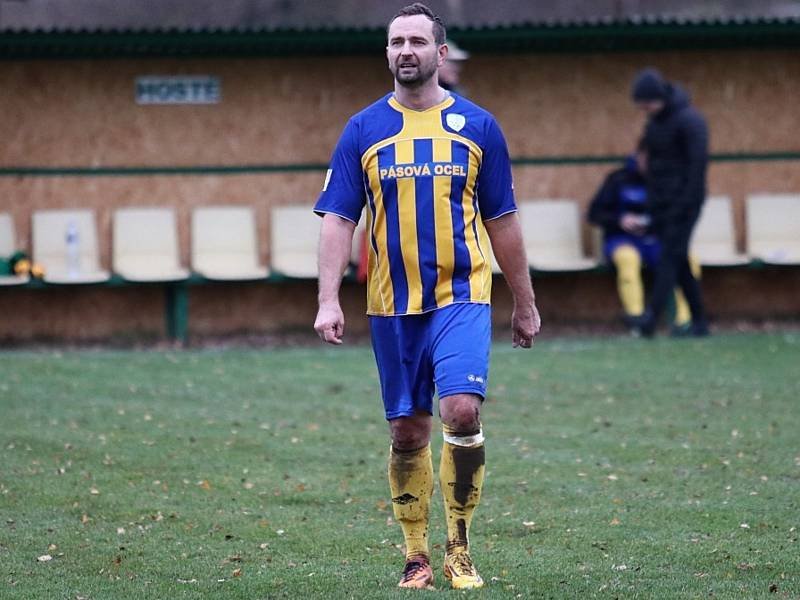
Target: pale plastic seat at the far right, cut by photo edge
[(773, 228)]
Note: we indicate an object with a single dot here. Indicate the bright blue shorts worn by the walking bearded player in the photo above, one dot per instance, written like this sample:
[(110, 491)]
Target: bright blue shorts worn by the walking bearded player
[(446, 349)]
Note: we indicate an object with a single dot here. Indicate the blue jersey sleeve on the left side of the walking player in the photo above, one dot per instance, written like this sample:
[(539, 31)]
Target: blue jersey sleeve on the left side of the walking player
[(343, 191)]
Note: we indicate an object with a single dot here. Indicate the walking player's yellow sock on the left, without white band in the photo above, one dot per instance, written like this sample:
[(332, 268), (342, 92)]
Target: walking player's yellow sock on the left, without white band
[(411, 482)]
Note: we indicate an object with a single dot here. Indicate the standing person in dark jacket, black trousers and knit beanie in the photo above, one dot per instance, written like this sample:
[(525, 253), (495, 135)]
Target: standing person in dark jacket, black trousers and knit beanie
[(676, 141)]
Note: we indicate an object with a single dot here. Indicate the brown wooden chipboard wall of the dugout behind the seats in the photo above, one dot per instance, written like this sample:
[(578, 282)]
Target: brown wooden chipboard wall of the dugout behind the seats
[(290, 111)]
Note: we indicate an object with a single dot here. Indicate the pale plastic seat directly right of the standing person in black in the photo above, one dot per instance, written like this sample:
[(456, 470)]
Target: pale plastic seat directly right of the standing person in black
[(714, 238)]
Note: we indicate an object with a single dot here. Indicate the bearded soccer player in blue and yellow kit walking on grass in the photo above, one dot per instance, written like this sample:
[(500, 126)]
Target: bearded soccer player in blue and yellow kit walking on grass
[(433, 171)]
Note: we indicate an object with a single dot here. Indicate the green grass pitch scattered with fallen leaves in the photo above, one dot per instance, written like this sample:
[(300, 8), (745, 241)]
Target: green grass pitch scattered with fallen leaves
[(616, 468)]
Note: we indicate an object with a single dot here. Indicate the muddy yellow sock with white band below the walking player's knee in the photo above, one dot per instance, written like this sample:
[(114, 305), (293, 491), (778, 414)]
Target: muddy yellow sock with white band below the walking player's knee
[(461, 480)]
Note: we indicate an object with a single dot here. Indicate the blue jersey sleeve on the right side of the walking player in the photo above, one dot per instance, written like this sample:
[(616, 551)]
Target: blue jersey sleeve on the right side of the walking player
[(495, 185)]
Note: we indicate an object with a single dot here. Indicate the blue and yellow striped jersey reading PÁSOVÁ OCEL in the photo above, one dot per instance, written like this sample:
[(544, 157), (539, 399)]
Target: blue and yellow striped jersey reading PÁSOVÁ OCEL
[(429, 179)]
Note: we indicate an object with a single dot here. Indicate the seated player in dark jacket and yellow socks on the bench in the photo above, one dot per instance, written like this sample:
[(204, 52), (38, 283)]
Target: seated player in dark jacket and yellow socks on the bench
[(620, 209)]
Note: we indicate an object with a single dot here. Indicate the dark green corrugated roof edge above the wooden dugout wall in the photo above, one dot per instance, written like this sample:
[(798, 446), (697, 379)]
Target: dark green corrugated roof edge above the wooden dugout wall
[(593, 37)]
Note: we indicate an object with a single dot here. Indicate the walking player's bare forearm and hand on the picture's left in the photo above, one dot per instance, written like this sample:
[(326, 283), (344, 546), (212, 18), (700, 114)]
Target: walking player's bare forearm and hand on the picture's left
[(335, 242)]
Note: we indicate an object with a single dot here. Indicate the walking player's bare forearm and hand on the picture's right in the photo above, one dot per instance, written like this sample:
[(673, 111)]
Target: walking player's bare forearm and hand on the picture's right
[(505, 234)]
